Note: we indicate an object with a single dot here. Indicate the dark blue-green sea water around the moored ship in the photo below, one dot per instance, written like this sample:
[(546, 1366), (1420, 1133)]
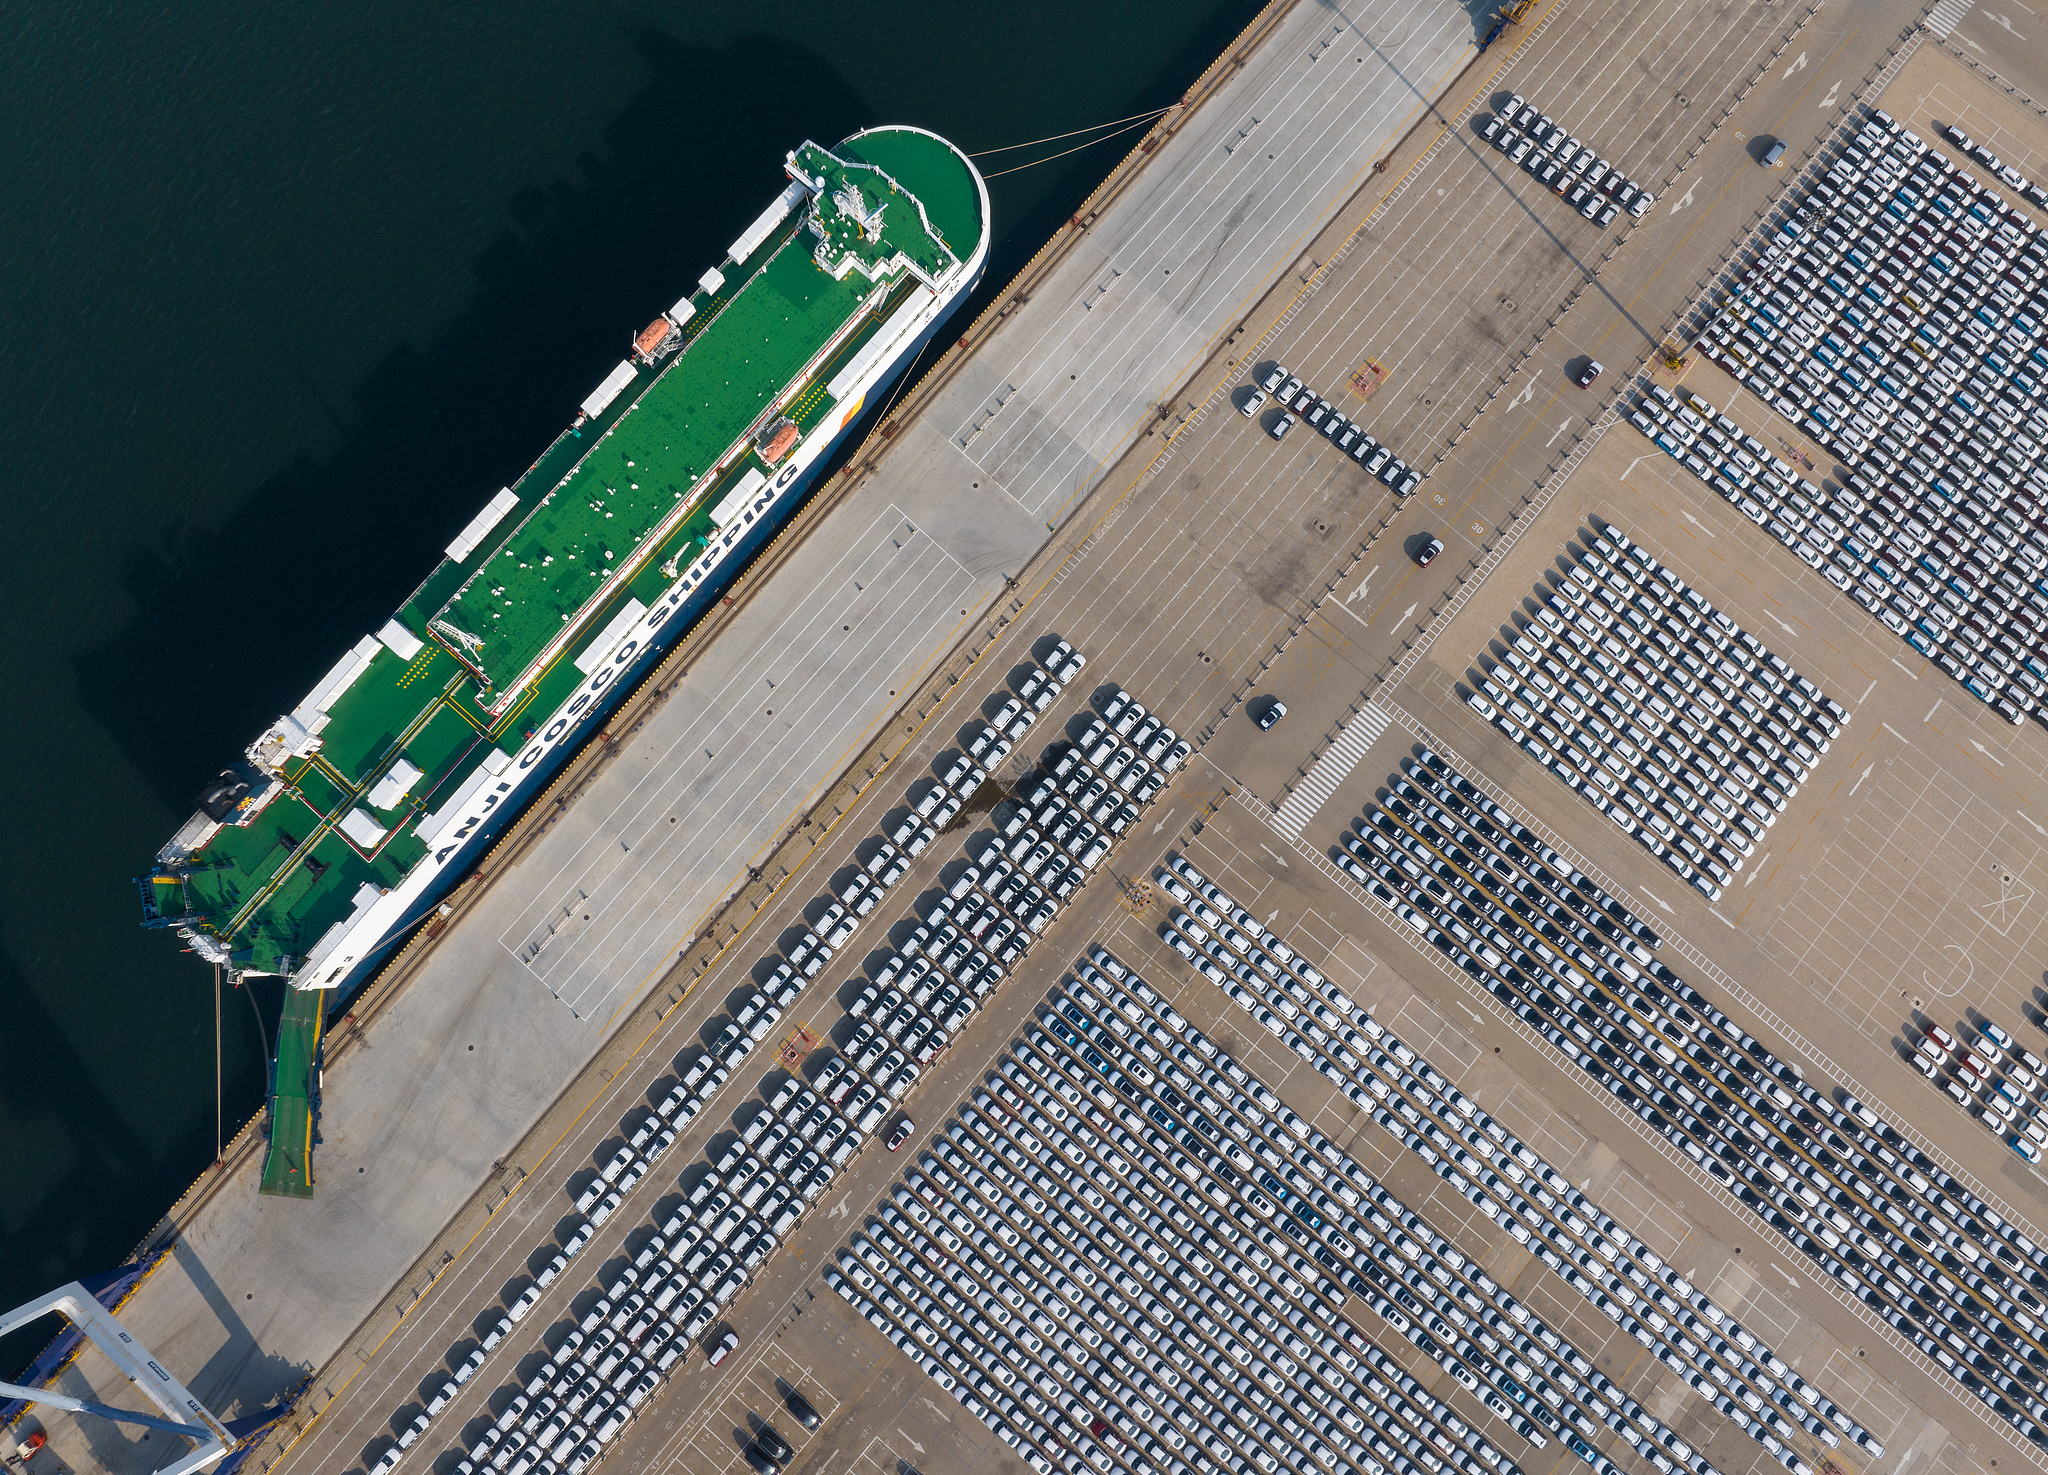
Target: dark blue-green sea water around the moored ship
[(286, 294)]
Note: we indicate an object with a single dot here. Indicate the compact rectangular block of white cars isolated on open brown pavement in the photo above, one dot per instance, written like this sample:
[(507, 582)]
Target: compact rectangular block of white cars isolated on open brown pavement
[(1670, 718)]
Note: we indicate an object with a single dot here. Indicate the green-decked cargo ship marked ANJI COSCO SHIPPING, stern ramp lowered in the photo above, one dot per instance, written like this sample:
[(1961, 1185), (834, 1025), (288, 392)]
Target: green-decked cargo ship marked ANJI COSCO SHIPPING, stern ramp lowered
[(349, 818)]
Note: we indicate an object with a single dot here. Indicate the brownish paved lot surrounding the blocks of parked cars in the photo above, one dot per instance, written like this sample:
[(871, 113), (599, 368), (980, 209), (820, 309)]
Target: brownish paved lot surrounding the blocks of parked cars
[(1238, 564)]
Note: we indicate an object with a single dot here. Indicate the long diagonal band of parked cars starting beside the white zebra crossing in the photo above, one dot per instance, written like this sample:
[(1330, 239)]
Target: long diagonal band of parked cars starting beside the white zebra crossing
[(1844, 1187)]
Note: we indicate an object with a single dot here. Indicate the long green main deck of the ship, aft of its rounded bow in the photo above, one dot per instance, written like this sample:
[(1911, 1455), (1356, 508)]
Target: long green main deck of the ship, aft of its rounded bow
[(280, 882)]
